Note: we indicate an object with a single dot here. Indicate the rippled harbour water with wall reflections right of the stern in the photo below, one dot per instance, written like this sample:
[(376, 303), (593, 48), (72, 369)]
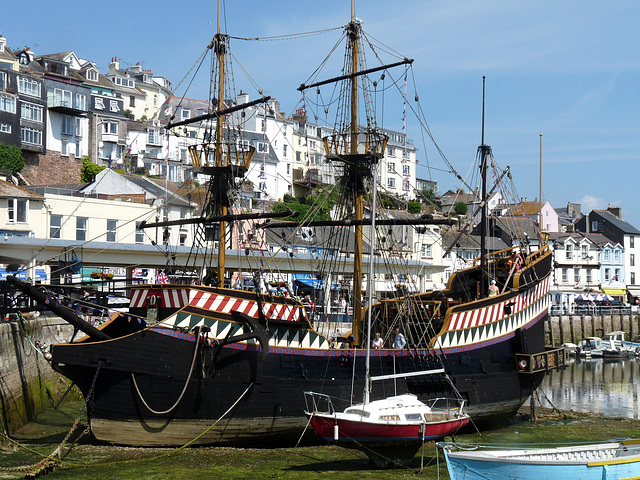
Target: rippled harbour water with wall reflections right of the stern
[(609, 388)]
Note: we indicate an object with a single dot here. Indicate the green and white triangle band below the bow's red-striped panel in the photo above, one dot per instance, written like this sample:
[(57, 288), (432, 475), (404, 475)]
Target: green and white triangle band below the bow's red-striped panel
[(278, 337)]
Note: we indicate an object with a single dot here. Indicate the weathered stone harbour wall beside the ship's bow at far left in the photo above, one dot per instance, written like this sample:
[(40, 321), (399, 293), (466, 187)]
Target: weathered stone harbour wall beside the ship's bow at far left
[(28, 384)]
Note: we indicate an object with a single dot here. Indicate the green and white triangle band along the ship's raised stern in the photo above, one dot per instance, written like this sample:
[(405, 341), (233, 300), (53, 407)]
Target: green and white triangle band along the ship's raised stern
[(483, 333)]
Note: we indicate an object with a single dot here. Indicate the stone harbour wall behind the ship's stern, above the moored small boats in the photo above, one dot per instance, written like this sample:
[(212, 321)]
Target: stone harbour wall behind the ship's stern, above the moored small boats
[(561, 329)]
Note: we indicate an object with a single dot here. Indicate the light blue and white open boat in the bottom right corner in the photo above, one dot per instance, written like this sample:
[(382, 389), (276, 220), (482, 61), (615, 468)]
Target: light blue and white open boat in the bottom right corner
[(603, 461)]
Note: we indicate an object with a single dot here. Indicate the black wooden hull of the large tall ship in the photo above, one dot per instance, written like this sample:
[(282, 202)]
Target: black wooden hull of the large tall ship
[(165, 386)]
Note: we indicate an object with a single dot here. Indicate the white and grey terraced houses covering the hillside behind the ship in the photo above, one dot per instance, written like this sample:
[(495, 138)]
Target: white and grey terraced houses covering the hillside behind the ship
[(59, 108)]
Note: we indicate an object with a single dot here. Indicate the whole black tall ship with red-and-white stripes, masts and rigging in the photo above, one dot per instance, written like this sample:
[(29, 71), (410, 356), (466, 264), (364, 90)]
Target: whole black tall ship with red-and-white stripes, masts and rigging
[(211, 364)]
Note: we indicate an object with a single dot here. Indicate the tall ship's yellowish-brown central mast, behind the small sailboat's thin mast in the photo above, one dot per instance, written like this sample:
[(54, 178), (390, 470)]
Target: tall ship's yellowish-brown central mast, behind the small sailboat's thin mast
[(359, 195)]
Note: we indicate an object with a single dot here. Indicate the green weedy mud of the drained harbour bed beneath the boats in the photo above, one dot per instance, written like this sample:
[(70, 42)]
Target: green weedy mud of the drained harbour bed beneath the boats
[(37, 439)]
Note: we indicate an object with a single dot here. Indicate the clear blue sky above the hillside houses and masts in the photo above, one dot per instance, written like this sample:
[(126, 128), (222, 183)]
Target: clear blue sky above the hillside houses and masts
[(569, 70)]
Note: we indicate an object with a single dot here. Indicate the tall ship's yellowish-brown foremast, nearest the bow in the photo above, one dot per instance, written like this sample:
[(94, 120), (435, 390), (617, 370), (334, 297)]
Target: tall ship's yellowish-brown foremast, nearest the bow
[(220, 46)]
